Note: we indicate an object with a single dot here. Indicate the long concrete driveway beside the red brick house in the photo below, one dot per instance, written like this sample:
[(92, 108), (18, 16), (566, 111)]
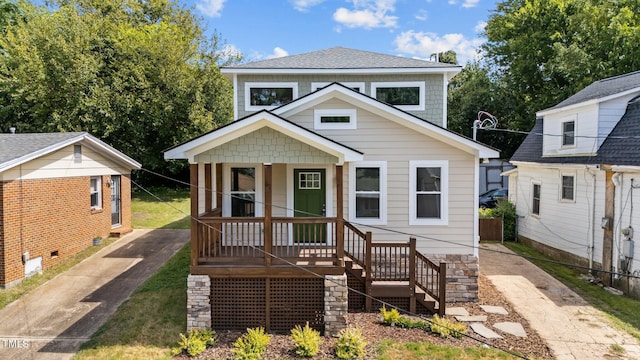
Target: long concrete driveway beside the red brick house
[(55, 319)]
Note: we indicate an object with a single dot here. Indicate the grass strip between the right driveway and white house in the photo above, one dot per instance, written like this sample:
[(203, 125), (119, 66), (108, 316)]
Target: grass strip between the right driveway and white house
[(623, 311)]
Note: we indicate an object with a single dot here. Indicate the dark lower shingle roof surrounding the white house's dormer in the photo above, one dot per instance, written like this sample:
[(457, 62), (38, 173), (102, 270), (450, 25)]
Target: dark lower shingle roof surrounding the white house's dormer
[(621, 147)]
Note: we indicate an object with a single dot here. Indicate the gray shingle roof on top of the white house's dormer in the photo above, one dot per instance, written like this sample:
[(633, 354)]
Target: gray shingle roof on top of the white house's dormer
[(603, 88)]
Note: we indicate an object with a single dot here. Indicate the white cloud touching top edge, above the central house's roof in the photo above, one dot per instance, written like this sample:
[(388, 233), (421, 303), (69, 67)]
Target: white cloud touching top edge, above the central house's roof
[(367, 14)]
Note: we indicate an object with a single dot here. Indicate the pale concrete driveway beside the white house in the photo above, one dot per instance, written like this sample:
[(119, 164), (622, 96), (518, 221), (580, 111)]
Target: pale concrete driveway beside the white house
[(569, 325)]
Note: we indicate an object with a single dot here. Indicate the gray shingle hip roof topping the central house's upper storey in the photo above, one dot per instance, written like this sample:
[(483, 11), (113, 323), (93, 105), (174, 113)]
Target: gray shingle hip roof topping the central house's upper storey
[(340, 58)]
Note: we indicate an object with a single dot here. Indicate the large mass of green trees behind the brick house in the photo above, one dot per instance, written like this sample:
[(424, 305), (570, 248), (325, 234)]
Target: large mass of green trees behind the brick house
[(138, 74)]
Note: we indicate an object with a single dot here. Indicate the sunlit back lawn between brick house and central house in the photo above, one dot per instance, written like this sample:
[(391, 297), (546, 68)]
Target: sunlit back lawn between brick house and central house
[(147, 212)]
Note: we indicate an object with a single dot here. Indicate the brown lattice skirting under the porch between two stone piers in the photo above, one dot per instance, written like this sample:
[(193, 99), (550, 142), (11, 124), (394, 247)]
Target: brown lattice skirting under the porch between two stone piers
[(276, 304)]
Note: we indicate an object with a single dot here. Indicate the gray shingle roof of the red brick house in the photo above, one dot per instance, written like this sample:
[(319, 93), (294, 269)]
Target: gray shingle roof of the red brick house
[(14, 146)]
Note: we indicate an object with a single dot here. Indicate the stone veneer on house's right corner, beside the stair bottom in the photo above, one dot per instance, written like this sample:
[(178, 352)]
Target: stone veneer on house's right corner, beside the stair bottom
[(462, 276)]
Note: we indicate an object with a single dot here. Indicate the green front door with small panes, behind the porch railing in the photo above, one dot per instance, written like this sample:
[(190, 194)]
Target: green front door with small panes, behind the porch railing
[(309, 201)]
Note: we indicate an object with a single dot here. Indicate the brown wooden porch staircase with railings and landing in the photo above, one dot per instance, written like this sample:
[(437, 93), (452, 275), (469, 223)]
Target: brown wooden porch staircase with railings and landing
[(392, 272)]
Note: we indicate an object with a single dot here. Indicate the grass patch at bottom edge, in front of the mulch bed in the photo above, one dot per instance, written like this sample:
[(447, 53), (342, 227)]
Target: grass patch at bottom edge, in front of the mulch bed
[(389, 350)]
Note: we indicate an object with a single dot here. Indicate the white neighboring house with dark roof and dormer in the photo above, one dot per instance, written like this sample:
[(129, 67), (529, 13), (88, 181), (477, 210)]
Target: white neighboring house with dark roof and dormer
[(577, 172)]
